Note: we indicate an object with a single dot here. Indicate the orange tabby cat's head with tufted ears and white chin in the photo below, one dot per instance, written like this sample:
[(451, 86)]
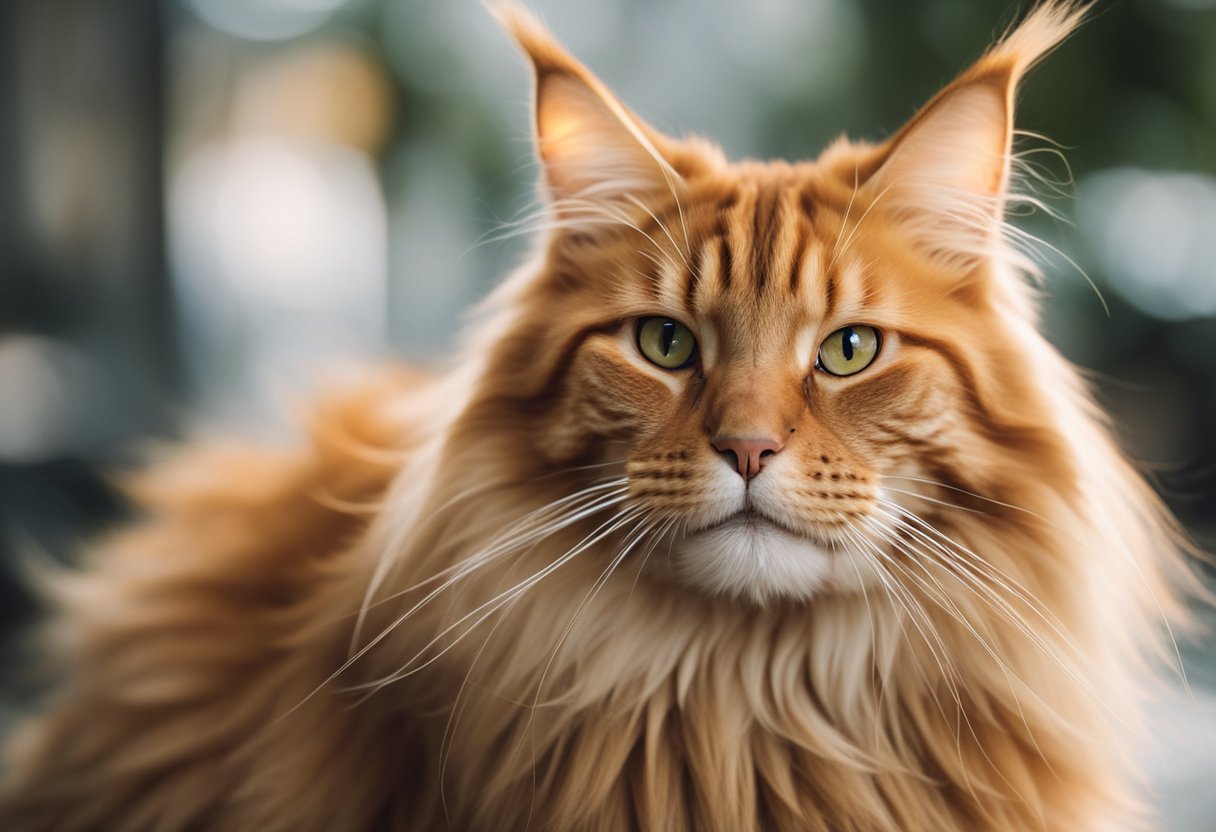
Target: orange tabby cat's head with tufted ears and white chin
[(792, 363)]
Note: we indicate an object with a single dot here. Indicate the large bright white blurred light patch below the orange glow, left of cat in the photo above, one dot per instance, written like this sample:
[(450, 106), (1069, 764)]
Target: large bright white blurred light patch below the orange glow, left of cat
[(280, 252)]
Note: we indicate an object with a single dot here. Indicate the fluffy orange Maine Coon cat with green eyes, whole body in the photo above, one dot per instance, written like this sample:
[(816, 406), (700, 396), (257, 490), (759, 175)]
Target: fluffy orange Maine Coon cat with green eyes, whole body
[(757, 502)]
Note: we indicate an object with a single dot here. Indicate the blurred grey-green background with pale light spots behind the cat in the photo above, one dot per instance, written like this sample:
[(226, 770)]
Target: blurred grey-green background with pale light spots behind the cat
[(206, 204)]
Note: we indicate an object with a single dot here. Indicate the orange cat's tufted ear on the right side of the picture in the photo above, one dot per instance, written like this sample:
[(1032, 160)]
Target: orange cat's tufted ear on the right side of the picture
[(947, 173)]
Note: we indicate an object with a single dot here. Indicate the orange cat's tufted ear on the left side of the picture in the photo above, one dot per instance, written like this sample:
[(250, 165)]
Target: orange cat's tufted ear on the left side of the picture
[(592, 148)]
